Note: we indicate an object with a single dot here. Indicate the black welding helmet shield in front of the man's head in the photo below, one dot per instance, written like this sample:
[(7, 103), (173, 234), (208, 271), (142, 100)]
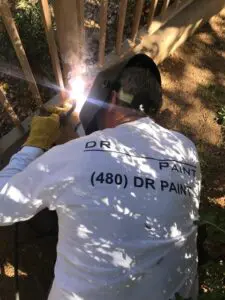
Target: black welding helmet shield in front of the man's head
[(107, 81)]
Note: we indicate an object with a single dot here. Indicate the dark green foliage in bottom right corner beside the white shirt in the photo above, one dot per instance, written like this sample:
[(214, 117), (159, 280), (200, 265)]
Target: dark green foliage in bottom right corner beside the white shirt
[(212, 273)]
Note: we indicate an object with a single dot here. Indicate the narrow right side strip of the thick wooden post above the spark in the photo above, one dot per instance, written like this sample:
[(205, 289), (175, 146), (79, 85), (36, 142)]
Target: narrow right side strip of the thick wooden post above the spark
[(80, 21)]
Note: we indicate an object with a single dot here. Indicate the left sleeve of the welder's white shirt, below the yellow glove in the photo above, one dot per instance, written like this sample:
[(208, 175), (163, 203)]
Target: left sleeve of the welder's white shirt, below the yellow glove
[(17, 188)]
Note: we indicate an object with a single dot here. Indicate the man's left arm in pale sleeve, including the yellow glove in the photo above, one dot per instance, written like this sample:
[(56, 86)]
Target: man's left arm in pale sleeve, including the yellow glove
[(20, 182)]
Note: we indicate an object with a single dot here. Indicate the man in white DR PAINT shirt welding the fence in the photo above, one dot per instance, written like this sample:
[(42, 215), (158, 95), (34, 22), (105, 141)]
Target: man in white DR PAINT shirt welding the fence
[(126, 197)]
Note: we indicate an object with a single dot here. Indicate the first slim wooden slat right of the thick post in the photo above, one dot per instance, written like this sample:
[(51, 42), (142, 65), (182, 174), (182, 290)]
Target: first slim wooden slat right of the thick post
[(103, 26)]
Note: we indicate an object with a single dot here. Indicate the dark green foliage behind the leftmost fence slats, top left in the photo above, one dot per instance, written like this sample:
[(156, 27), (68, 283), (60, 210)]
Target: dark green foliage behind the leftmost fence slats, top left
[(27, 15)]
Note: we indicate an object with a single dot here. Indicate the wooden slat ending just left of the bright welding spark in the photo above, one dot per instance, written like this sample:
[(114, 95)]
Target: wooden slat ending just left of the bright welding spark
[(52, 44)]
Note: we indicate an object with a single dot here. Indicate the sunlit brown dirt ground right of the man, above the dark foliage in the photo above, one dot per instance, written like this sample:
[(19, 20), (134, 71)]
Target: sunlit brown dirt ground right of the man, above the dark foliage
[(194, 90)]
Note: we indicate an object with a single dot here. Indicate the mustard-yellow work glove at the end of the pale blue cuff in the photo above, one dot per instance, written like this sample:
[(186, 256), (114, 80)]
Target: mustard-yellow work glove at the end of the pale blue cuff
[(44, 131)]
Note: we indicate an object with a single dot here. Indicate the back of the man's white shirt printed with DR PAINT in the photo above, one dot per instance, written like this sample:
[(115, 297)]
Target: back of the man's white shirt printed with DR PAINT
[(126, 207)]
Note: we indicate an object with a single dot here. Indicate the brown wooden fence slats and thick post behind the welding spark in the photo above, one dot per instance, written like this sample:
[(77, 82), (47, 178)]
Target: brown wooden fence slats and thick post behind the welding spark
[(70, 21)]
